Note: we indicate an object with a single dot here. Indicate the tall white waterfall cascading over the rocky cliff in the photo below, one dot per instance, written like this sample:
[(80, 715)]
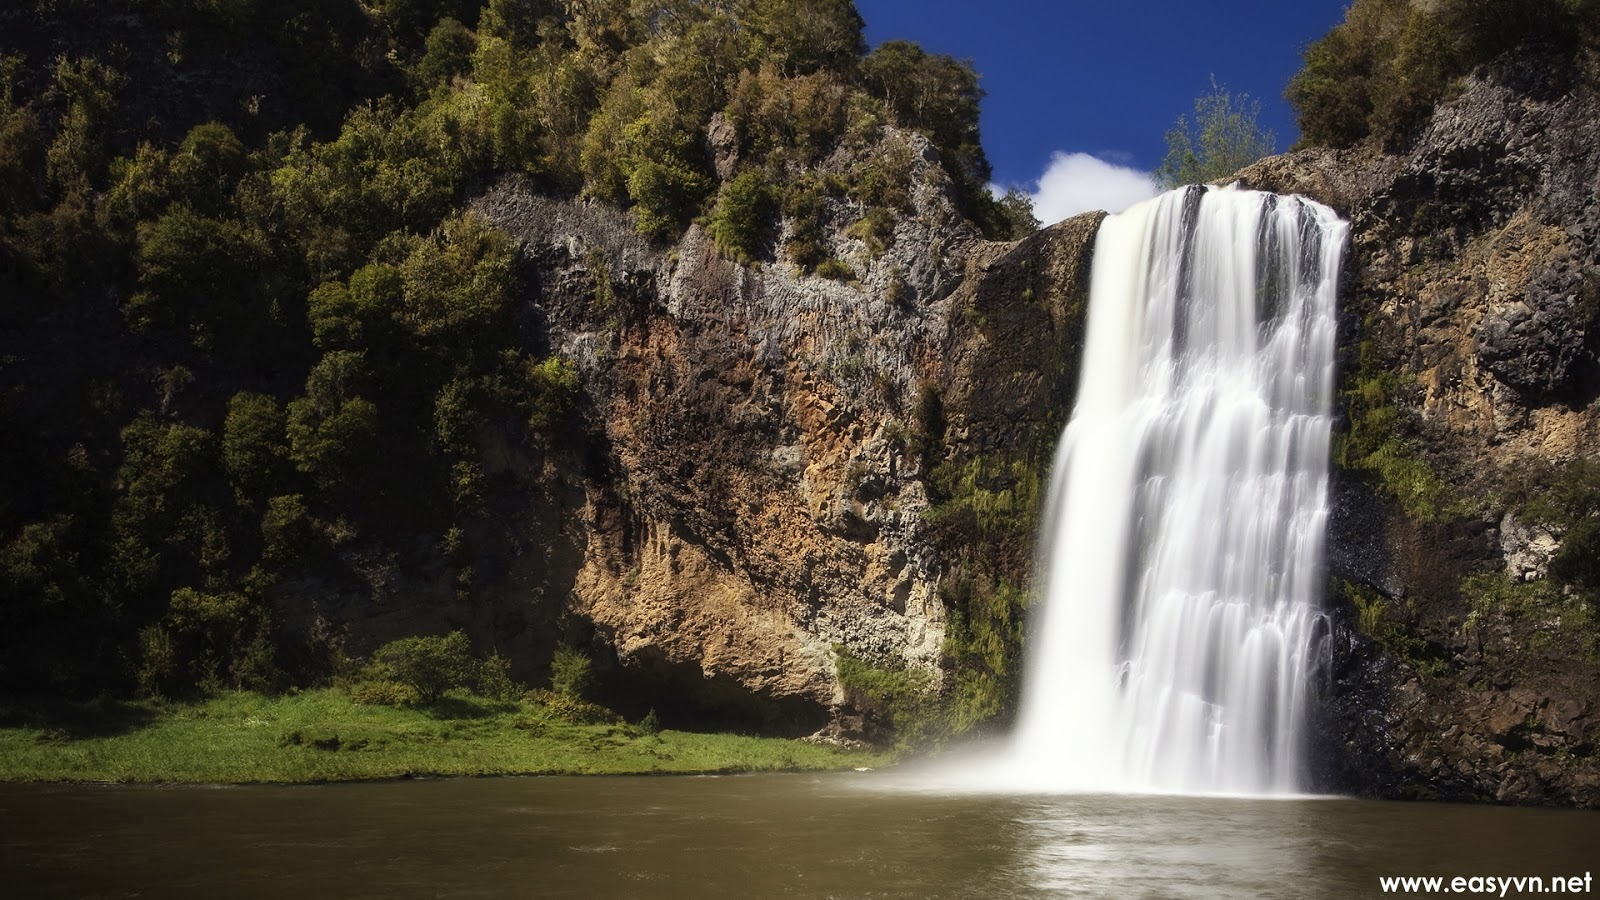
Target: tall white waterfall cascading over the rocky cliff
[(1182, 553)]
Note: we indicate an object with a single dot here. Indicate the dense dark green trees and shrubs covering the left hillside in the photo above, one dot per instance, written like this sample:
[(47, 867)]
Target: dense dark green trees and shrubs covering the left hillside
[(252, 340)]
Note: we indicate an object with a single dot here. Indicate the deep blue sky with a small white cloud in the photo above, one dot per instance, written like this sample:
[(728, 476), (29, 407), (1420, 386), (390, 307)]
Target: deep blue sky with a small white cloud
[(1095, 86)]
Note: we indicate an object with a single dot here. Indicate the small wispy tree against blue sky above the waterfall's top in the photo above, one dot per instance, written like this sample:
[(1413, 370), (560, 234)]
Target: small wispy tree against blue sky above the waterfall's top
[(1222, 140)]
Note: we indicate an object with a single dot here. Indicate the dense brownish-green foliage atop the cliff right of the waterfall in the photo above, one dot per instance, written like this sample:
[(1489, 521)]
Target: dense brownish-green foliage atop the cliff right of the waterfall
[(1382, 71)]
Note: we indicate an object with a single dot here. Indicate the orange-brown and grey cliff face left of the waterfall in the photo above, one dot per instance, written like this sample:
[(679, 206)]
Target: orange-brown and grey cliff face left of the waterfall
[(761, 443)]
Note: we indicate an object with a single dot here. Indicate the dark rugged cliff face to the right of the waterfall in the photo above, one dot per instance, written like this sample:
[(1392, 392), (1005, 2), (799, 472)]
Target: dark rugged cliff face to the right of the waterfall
[(1471, 329)]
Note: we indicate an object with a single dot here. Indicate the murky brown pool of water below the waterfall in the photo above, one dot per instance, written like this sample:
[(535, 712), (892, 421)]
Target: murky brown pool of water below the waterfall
[(745, 837)]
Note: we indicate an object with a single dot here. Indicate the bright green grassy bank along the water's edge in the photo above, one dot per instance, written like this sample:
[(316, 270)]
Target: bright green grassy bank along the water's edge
[(321, 736)]
